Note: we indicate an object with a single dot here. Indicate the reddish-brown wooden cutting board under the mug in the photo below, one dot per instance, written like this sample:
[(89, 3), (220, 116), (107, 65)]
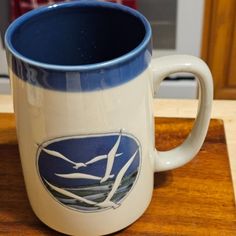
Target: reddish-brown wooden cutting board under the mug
[(196, 199)]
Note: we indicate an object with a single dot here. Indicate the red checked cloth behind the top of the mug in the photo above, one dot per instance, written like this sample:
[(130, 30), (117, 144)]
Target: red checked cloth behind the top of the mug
[(19, 7)]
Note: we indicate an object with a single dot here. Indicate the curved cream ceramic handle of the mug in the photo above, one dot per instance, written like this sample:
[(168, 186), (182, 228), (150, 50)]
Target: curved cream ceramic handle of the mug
[(162, 67)]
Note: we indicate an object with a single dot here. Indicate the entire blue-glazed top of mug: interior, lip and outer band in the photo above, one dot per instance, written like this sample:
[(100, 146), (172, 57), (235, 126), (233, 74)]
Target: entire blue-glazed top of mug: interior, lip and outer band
[(79, 46)]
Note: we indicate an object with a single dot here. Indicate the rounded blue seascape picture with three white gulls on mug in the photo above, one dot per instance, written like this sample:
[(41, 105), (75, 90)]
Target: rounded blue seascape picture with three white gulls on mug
[(80, 166)]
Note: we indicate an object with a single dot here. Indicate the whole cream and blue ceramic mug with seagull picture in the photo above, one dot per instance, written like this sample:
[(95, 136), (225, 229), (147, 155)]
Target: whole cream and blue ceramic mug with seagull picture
[(83, 83)]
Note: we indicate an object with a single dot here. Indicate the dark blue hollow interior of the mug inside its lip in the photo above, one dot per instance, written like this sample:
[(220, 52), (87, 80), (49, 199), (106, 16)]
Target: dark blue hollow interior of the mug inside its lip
[(78, 34)]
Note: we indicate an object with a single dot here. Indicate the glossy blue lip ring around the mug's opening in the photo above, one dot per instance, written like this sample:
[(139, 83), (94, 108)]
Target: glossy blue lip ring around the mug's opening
[(101, 65)]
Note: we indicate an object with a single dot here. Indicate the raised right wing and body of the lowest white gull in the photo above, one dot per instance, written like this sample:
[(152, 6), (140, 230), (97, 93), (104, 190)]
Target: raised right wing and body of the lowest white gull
[(107, 202)]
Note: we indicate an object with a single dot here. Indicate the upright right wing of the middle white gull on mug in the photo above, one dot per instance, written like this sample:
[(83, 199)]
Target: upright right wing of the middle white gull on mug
[(110, 159)]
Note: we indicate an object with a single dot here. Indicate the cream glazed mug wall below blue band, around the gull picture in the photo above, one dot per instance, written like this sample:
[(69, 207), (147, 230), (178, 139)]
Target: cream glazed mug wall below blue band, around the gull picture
[(47, 116)]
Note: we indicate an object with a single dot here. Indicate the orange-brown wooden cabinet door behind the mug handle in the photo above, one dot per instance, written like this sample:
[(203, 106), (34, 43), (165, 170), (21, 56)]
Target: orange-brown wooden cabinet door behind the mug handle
[(219, 45)]
